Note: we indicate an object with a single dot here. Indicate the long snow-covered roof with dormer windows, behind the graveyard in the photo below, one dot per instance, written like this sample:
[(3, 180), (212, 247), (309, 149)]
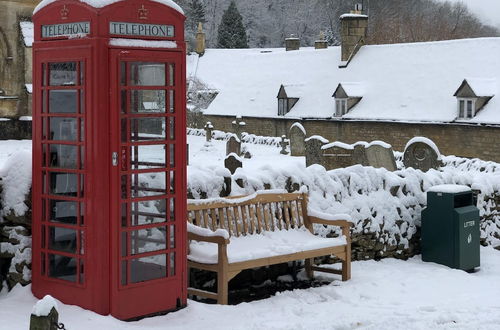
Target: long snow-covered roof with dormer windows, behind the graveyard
[(413, 82)]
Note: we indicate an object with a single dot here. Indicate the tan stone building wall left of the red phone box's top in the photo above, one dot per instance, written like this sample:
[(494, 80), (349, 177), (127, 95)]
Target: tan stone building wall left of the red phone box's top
[(13, 56)]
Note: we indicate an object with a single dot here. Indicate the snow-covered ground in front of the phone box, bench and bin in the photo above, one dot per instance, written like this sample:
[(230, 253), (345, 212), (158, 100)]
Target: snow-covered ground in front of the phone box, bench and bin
[(388, 294)]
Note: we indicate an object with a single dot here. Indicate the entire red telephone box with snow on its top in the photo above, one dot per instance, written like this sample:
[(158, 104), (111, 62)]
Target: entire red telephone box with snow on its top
[(109, 155)]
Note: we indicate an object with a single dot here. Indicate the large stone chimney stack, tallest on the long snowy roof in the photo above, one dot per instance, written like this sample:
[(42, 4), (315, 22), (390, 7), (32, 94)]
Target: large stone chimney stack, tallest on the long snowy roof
[(353, 34)]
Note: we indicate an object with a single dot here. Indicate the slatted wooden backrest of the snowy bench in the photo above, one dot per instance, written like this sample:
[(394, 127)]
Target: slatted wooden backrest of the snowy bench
[(242, 216)]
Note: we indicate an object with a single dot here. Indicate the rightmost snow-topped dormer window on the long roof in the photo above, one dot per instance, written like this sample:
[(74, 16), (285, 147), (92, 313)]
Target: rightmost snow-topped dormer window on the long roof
[(472, 95)]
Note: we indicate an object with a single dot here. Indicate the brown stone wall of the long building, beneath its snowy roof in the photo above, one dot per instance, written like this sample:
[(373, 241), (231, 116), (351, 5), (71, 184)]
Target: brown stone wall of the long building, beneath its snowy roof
[(470, 141)]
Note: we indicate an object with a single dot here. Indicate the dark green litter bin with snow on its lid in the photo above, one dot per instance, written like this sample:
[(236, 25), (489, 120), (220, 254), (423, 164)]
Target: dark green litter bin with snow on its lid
[(450, 227)]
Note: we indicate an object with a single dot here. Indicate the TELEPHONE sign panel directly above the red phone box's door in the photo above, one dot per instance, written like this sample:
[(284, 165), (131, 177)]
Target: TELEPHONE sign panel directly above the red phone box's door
[(141, 30)]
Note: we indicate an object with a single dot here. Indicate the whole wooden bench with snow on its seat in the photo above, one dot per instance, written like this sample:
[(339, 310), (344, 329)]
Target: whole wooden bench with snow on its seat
[(230, 235)]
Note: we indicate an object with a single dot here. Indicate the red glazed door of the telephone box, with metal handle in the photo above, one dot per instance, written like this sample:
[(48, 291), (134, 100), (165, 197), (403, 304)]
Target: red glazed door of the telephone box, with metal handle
[(148, 182)]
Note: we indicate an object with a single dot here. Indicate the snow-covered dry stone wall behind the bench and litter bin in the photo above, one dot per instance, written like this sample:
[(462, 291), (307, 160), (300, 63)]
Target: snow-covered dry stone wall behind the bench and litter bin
[(385, 206)]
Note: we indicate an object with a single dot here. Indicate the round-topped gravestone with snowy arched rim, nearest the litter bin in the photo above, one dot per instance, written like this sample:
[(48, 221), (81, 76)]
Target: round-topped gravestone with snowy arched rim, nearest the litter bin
[(421, 153)]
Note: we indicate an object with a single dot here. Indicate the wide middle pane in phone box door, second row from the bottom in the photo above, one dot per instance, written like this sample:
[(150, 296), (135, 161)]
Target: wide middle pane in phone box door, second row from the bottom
[(148, 240)]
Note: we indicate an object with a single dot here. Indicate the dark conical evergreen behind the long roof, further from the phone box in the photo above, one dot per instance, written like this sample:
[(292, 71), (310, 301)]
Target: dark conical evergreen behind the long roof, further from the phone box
[(231, 32)]
